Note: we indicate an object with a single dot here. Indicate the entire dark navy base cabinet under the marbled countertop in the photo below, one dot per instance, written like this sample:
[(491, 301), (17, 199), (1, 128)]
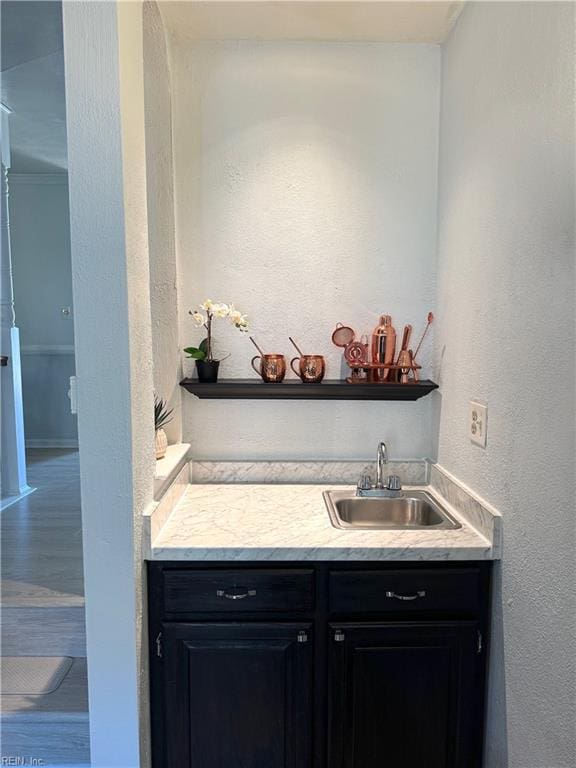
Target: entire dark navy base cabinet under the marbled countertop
[(328, 665)]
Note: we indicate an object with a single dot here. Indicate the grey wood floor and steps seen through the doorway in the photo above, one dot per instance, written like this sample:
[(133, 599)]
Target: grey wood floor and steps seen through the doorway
[(42, 603)]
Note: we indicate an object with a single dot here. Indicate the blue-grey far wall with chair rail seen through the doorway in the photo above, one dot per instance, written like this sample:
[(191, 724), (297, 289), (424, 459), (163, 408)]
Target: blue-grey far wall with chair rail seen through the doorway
[(40, 238)]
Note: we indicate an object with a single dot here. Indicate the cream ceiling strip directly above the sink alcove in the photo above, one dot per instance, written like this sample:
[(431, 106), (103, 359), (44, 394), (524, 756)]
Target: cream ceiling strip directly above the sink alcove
[(407, 21)]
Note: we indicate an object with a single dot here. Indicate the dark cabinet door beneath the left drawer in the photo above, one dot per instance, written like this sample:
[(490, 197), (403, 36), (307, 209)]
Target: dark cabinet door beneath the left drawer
[(238, 695)]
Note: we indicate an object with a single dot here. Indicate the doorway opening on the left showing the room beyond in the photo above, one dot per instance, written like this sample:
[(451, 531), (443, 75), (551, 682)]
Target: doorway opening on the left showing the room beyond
[(44, 699)]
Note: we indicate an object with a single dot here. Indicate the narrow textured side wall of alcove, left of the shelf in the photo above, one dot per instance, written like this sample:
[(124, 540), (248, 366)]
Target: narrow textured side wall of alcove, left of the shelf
[(166, 352)]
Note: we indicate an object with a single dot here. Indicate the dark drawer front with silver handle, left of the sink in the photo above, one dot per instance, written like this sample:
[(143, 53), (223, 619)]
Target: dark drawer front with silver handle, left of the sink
[(238, 591)]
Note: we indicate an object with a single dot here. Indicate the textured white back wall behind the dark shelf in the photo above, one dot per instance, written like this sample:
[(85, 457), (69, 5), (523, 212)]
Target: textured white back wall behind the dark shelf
[(306, 194)]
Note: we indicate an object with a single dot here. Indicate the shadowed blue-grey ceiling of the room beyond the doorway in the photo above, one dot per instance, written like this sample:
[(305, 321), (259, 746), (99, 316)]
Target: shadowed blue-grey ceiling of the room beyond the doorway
[(32, 84)]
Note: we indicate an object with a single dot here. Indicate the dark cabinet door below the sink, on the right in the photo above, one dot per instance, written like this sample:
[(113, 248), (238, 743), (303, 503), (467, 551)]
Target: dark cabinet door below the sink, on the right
[(404, 695)]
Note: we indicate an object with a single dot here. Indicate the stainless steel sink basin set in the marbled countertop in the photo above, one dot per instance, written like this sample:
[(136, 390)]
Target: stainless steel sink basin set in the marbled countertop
[(412, 510)]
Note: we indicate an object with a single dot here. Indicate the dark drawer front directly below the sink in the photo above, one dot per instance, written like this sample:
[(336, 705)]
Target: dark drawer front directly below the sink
[(403, 591)]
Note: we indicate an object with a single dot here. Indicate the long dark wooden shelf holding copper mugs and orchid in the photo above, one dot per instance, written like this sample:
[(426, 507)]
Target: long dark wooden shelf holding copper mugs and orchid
[(254, 389)]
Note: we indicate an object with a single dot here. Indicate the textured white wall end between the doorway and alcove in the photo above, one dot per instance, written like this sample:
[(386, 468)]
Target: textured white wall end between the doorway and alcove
[(111, 283)]
